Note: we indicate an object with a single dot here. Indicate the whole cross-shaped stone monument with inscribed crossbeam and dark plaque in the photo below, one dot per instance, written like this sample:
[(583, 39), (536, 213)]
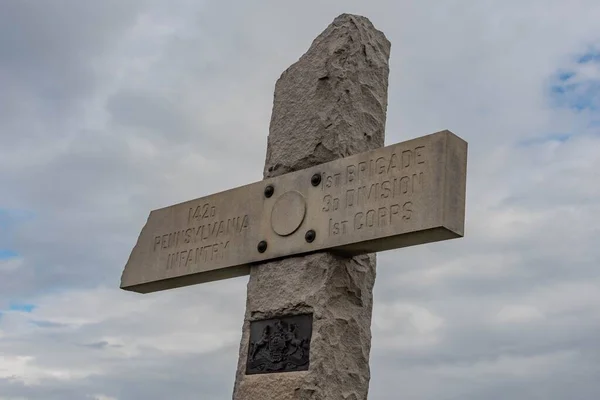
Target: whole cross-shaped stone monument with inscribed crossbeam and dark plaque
[(331, 197)]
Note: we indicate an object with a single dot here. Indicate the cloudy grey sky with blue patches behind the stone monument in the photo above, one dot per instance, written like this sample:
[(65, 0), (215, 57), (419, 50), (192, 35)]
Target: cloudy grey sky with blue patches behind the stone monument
[(111, 108)]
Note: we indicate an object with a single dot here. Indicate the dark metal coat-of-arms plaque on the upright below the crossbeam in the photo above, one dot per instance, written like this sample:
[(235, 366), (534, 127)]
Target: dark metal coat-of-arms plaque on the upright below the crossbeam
[(279, 344)]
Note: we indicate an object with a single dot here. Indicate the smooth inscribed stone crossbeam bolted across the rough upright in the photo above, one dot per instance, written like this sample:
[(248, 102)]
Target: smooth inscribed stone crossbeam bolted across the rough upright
[(400, 195)]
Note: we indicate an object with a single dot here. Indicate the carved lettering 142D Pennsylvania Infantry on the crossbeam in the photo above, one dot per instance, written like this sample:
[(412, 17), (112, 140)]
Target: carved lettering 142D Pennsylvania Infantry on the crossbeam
[(205, 239)]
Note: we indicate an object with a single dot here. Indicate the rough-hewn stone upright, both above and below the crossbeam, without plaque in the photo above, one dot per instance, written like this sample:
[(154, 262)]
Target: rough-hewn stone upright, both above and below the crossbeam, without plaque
[(331, 103)]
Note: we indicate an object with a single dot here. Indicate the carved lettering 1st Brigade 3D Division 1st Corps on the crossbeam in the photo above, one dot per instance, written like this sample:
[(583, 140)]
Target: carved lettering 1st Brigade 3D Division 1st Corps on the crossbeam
[(376, 193)]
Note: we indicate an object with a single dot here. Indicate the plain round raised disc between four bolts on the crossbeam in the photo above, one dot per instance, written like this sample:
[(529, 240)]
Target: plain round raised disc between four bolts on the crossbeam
[(288, 213)]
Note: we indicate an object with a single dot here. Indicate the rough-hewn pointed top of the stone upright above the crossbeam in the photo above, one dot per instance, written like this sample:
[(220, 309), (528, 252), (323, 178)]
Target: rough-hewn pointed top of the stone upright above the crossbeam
[(332, 102)]
